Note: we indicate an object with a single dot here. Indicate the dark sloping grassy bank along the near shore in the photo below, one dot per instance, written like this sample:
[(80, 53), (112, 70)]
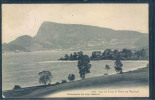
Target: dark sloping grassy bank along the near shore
[(136, 77)]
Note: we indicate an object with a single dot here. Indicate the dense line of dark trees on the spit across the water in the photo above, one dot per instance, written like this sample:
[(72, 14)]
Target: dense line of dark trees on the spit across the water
[(109, 54)]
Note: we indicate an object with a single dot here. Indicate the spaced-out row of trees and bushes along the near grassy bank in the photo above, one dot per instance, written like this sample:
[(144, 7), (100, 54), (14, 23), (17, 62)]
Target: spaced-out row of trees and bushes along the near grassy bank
[(84, 68)]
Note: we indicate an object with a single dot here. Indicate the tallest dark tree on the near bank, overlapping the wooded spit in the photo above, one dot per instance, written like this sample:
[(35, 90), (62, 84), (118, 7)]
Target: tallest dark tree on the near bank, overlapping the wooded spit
[(84, 66)]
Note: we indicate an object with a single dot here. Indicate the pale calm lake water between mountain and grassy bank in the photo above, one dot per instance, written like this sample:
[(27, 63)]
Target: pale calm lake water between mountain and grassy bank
[(23, 68)]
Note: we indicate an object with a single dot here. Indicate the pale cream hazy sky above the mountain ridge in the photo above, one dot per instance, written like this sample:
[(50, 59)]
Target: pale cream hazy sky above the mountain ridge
[(25, 19)]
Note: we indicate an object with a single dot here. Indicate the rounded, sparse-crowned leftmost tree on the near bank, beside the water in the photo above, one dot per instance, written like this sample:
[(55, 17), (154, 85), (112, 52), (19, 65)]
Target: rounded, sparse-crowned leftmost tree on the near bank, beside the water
[(45, 77)]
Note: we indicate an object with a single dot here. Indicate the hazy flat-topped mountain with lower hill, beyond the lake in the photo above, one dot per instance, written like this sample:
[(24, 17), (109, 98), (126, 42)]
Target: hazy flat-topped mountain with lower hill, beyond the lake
[(77, 37)]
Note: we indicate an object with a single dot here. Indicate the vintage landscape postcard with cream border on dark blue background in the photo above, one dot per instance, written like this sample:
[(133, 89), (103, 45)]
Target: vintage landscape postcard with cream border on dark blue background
[(75, 50)]
